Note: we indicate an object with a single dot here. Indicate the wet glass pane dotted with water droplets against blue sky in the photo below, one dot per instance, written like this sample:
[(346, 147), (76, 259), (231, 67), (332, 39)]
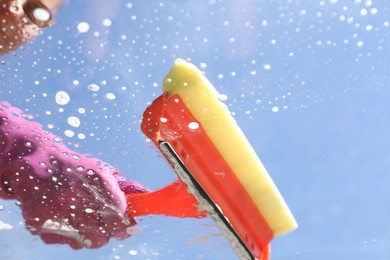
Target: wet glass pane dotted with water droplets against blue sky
[(307, 81)]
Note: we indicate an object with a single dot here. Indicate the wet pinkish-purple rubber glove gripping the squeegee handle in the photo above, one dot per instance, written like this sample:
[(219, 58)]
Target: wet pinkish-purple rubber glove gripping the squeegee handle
[(65, 197)]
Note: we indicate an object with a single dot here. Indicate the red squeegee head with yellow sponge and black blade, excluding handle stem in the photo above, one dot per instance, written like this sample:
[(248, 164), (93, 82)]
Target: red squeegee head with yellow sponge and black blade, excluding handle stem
[(197, 134)]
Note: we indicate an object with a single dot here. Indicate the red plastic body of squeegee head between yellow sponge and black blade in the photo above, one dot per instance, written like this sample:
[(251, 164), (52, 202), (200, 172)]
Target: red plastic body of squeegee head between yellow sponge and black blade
[(168, 120)]
